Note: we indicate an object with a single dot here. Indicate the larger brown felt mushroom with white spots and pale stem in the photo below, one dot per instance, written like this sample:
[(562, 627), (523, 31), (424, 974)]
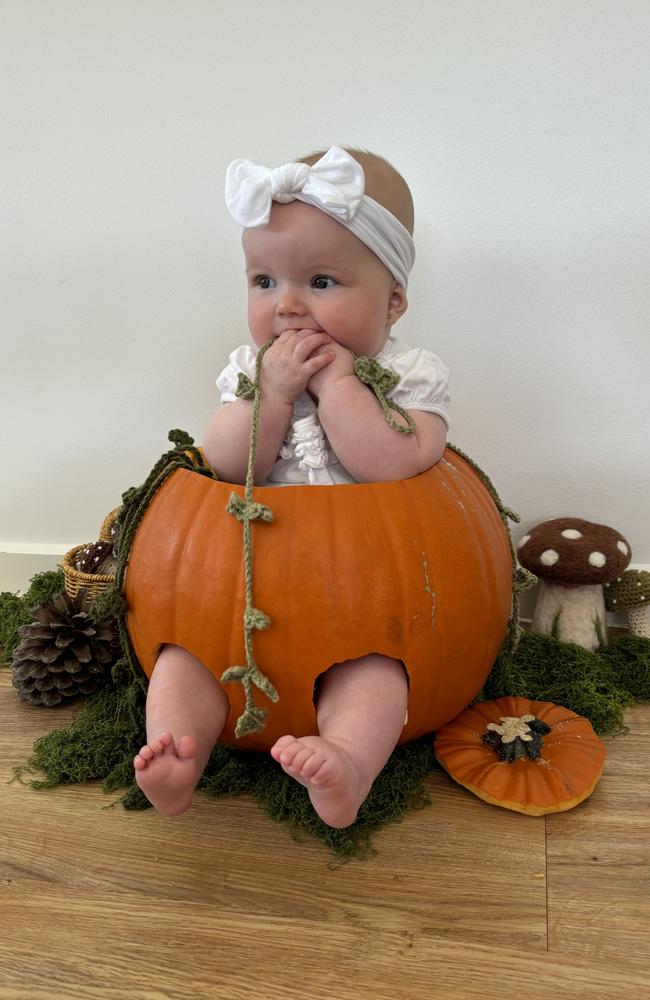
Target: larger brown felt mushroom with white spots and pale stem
[(573, 559)]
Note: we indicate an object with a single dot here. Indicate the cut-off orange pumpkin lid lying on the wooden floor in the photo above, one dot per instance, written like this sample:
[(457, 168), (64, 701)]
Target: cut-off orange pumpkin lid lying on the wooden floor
[(530, 756)]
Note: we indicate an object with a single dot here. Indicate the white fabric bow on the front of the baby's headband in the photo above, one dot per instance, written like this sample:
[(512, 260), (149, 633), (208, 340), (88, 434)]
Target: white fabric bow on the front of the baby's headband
[(335, 184)]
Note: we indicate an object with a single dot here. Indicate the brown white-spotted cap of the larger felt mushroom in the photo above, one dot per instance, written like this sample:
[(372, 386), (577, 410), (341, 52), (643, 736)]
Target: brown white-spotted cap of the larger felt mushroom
[(572, 551)]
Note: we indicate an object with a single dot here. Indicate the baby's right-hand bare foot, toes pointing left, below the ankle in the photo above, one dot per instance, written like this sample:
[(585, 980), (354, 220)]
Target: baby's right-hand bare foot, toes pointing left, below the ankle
[(336, 788)]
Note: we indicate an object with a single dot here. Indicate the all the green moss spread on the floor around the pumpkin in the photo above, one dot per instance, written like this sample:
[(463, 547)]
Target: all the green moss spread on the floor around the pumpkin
[(110, 728)]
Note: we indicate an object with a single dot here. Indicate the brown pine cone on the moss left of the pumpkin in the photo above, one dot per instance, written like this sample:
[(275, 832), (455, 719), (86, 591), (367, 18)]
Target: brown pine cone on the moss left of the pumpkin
[(64, 652)]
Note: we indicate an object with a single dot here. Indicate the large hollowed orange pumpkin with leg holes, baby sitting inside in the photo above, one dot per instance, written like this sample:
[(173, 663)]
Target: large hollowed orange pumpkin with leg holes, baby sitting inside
[(418, 569)]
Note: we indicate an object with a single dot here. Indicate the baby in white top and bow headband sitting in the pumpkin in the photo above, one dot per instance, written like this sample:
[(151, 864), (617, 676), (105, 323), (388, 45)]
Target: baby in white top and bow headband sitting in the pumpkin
[(328, 247)]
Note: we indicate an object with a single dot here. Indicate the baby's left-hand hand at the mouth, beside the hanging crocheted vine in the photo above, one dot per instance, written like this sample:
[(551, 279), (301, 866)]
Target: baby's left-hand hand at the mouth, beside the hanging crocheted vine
[(293, 359)]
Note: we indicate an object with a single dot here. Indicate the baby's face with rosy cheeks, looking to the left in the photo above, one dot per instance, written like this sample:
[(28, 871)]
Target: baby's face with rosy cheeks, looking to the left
[(306, 271)]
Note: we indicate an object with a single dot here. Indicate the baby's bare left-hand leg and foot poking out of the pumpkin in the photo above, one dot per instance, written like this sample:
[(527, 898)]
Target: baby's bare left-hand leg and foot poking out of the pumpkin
[(186, 712)]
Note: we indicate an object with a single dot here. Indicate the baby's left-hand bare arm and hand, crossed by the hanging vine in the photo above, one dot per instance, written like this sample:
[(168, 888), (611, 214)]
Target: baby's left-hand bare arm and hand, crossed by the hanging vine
[(287, 367)]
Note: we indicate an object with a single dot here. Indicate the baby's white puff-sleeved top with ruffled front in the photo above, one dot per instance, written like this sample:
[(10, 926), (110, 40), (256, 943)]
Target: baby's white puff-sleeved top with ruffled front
[(306, 456)]
